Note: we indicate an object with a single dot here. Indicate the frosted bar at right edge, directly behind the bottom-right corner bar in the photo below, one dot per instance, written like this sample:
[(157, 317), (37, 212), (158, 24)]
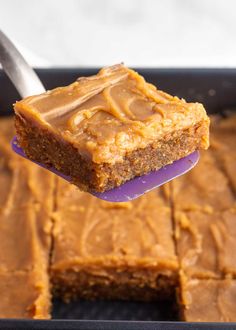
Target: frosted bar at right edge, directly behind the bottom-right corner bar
[(206, 243)]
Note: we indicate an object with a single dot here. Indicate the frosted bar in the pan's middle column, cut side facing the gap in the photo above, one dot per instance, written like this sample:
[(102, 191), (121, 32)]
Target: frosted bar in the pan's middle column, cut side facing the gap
[(106, 250)]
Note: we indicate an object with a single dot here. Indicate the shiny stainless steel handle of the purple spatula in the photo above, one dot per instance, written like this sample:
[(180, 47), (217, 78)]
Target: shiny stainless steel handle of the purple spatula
[(18, 70)]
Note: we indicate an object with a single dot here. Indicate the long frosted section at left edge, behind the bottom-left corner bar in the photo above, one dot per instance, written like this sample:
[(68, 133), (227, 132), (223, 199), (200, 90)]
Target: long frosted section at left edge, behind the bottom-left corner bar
[(25, 222)]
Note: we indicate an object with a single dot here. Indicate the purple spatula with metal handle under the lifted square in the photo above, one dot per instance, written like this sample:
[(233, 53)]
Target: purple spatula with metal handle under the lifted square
[(27, 83)]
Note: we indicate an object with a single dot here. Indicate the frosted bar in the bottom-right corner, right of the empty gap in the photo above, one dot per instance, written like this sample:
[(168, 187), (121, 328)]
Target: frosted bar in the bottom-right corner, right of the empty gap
[(208, 300)]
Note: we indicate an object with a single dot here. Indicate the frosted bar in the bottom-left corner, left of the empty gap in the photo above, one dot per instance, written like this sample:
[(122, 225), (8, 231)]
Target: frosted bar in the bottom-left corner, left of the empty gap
[(23, 295)]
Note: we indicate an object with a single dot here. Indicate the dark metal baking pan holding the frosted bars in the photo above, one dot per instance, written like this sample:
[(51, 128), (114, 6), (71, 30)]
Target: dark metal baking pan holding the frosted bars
[(216, 88)]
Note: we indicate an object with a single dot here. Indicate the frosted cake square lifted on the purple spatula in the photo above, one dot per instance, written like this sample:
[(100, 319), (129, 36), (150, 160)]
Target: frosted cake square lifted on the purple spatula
[(104, 127)]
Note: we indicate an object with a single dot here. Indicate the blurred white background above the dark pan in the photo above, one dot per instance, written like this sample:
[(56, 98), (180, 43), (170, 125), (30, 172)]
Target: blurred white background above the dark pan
[(140, 33)]
